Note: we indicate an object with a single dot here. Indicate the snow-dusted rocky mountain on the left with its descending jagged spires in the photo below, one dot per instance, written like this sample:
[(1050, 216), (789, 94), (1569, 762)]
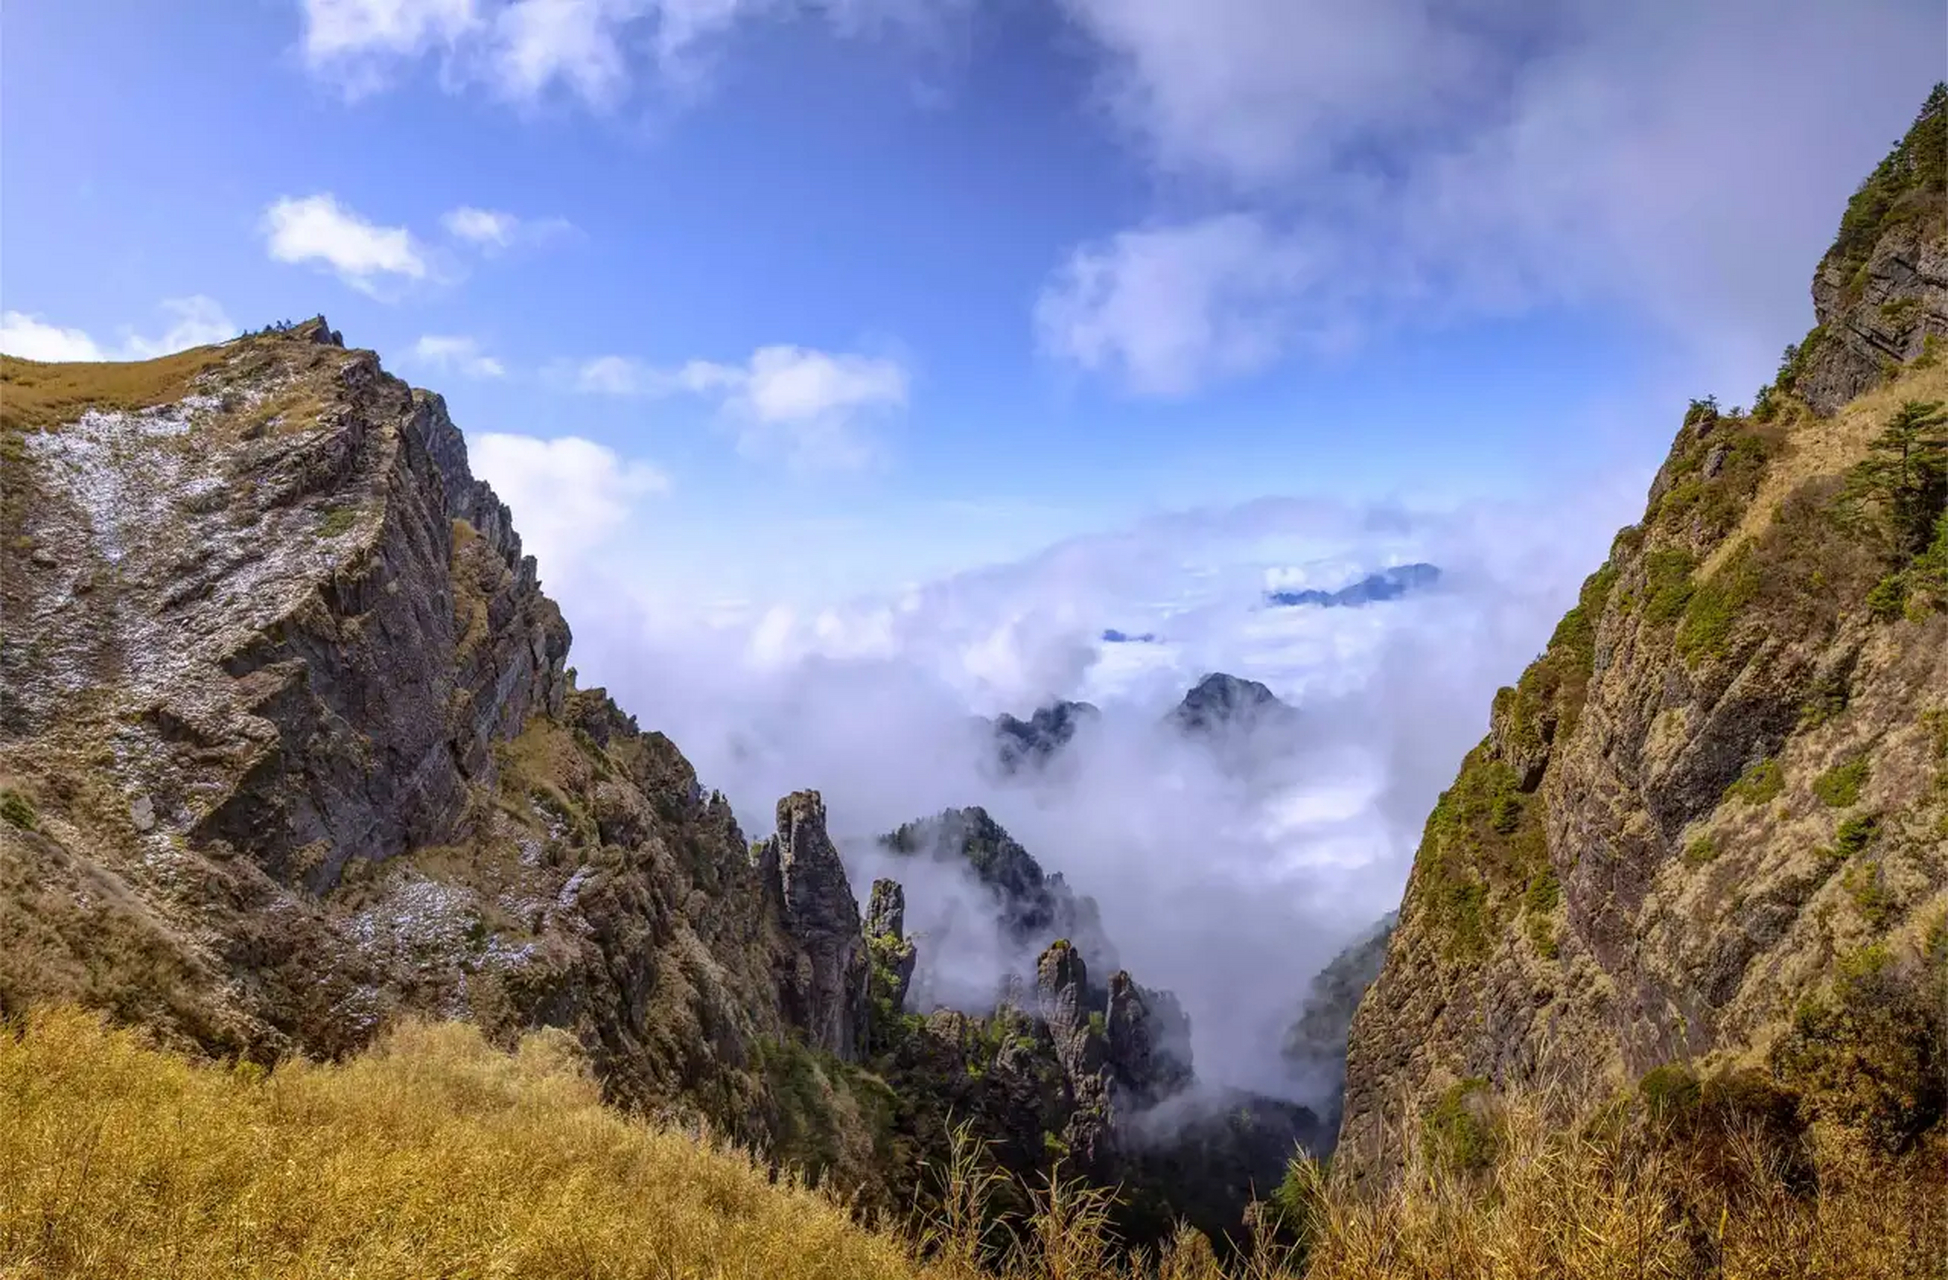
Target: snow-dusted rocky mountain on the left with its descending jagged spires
[(289, 751)]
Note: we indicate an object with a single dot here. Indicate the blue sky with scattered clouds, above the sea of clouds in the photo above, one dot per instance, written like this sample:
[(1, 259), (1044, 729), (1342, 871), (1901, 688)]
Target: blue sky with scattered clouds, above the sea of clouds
[(1076, 262)]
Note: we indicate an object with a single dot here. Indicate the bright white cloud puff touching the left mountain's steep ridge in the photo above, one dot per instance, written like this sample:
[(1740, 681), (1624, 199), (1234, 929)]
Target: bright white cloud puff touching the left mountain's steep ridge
[(570, 496)]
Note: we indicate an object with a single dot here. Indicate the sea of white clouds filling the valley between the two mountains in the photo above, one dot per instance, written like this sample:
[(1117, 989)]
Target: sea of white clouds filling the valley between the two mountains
[(1228, 887)]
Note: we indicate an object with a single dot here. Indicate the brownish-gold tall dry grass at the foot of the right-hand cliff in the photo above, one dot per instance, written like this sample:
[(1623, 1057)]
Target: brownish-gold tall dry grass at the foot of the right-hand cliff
[(1612, 1203)]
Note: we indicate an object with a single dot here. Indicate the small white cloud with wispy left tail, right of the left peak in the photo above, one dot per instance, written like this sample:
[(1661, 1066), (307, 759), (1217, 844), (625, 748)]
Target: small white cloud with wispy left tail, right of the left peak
[(800, 406)]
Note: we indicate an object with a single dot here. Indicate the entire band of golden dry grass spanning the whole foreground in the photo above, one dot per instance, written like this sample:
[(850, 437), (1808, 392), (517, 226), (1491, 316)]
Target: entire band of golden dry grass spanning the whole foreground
[(439, 1156)]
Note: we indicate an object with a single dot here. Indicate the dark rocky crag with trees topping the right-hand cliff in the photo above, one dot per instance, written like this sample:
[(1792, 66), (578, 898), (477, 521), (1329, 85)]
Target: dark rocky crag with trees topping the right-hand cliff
[(1883, 289)]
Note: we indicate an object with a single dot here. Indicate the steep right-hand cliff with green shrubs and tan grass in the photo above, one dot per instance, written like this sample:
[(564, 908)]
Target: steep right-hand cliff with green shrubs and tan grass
[(1707, 831)]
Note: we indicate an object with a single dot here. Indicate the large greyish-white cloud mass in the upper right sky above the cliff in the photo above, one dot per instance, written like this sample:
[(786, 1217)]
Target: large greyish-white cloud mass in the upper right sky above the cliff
[(1437, 161)]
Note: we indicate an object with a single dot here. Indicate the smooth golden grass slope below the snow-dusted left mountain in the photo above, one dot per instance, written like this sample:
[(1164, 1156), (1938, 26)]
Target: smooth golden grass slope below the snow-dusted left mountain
[(431, 1156)]
